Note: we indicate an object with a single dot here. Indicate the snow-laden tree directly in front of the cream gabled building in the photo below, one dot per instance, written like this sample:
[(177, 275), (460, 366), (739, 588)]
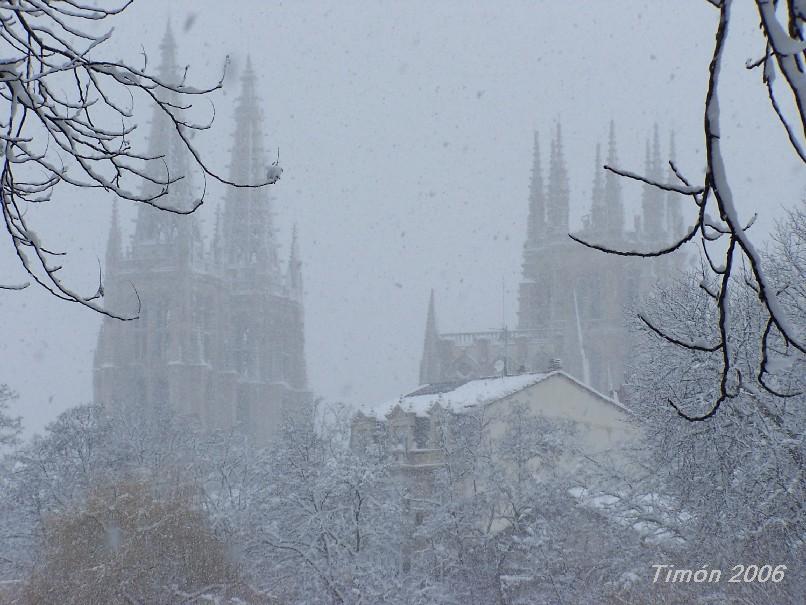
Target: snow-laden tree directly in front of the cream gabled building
[(503, 521)]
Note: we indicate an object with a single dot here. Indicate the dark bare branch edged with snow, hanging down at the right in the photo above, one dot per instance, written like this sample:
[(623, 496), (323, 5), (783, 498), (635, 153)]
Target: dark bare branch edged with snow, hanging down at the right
[(724, 237)]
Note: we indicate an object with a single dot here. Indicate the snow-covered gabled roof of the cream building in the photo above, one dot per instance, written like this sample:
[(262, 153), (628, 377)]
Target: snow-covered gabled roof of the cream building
[(460, 394)]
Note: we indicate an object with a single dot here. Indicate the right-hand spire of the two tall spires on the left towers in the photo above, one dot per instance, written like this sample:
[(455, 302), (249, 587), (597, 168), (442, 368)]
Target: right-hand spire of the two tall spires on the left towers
[(247, 221)]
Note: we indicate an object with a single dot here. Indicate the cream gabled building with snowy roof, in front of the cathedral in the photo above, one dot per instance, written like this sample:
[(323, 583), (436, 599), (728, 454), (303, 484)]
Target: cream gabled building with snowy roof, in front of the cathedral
[(481, 440)]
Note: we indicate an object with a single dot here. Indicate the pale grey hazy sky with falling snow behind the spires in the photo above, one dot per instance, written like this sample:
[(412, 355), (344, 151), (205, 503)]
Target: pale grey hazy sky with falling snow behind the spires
[(405, 131)]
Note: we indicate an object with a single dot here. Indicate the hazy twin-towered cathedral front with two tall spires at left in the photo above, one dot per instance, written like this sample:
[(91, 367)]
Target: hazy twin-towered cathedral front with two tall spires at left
[(219, 332)]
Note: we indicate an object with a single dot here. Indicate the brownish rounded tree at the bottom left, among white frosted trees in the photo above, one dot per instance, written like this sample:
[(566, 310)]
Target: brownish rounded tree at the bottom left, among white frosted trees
[(126, 544)]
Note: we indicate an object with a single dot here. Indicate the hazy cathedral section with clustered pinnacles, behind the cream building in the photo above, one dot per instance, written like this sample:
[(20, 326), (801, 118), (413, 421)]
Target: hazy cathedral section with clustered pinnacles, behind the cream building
[(573, 301)]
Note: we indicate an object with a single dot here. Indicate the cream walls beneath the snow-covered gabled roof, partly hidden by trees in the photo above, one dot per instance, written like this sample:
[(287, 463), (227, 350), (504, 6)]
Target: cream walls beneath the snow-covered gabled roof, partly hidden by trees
[(599, 432)]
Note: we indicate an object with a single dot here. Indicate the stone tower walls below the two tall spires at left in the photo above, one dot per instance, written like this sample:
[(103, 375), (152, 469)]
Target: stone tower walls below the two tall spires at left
[(187, 352)]
